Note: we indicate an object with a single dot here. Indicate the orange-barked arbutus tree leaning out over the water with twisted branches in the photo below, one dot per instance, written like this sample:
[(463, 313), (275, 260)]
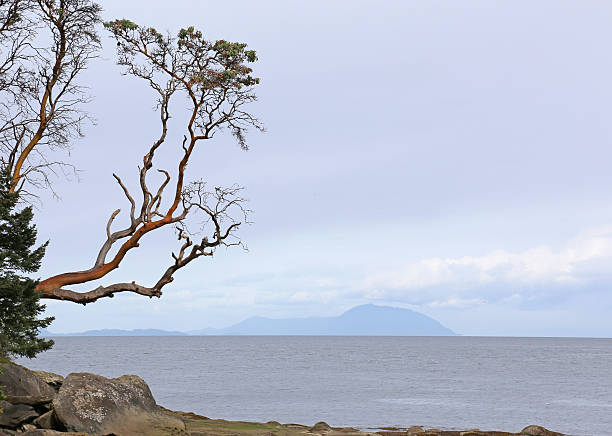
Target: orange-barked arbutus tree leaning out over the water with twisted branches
[(215, 79)]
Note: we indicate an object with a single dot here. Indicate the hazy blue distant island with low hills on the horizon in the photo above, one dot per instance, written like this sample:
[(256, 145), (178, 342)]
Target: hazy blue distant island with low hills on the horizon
[(365, 320)]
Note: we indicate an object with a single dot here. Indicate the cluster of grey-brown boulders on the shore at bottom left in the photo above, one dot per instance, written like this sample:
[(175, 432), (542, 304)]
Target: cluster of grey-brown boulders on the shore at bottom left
[(44, 404)]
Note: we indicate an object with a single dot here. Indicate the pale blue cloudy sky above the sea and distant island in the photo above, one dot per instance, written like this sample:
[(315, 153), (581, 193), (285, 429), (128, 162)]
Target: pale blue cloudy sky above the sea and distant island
[(448, 157)]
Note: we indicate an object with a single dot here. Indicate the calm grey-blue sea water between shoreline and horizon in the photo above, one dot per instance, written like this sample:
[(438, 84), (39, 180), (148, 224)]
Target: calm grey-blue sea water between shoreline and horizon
[(364, 382)]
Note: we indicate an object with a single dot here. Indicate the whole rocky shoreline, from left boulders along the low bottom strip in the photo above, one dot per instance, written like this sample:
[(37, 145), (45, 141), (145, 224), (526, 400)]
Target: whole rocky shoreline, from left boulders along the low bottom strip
[(45, 404)]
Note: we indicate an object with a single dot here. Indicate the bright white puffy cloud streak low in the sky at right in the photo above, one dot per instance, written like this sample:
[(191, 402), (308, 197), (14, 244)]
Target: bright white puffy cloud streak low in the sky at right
[(580, 259)]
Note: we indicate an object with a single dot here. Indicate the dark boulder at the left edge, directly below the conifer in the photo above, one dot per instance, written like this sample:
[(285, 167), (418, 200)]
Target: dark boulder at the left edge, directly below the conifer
[(17, 381)]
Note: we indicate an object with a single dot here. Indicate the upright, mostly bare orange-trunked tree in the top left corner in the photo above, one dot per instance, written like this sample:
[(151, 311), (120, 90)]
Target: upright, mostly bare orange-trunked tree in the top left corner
[(46, 45)]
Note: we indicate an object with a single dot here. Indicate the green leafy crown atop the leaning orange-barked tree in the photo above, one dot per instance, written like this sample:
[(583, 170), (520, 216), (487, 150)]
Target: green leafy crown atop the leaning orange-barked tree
[(216, 75)]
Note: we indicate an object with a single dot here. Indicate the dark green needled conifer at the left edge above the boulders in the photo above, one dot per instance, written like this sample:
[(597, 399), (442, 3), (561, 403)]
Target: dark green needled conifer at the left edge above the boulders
[(20, 304)]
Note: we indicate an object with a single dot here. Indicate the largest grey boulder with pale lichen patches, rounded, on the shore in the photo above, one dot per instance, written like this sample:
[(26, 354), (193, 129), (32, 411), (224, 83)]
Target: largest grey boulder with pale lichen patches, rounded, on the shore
[(123, 406)]
